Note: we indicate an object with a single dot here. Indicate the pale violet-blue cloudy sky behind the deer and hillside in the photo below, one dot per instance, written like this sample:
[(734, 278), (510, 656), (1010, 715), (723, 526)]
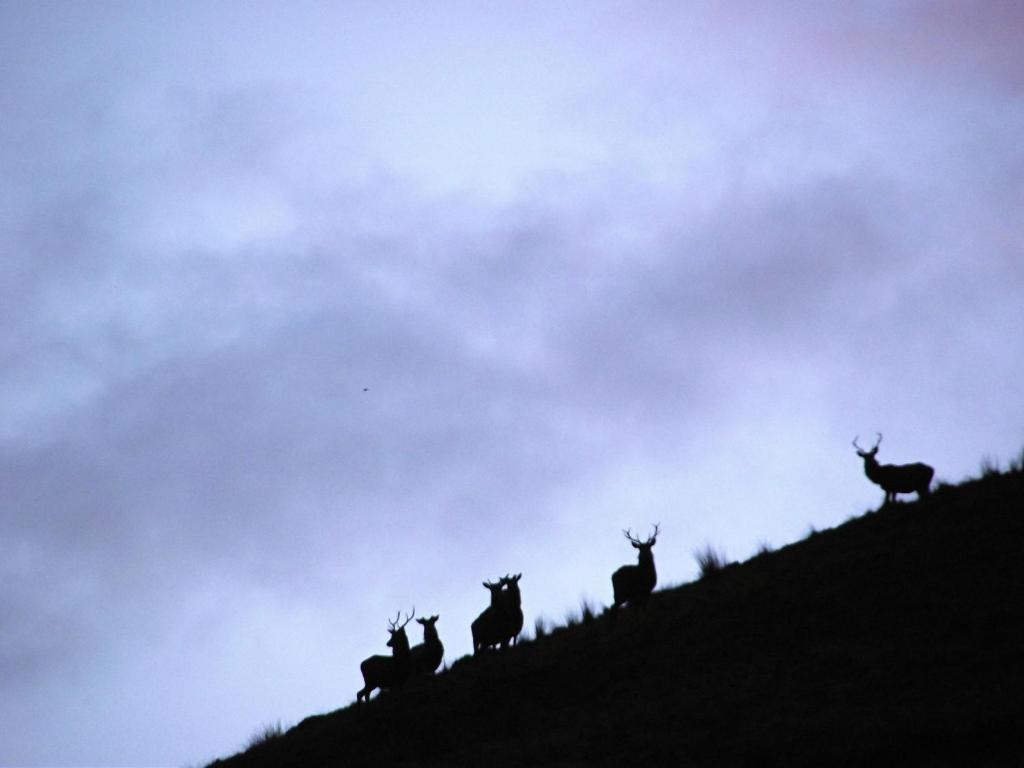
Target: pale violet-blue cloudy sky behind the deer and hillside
[(312, 313)]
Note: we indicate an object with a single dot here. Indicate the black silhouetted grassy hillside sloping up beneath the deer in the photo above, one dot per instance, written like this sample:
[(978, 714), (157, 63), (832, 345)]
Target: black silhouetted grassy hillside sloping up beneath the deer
[(894, 639)]
